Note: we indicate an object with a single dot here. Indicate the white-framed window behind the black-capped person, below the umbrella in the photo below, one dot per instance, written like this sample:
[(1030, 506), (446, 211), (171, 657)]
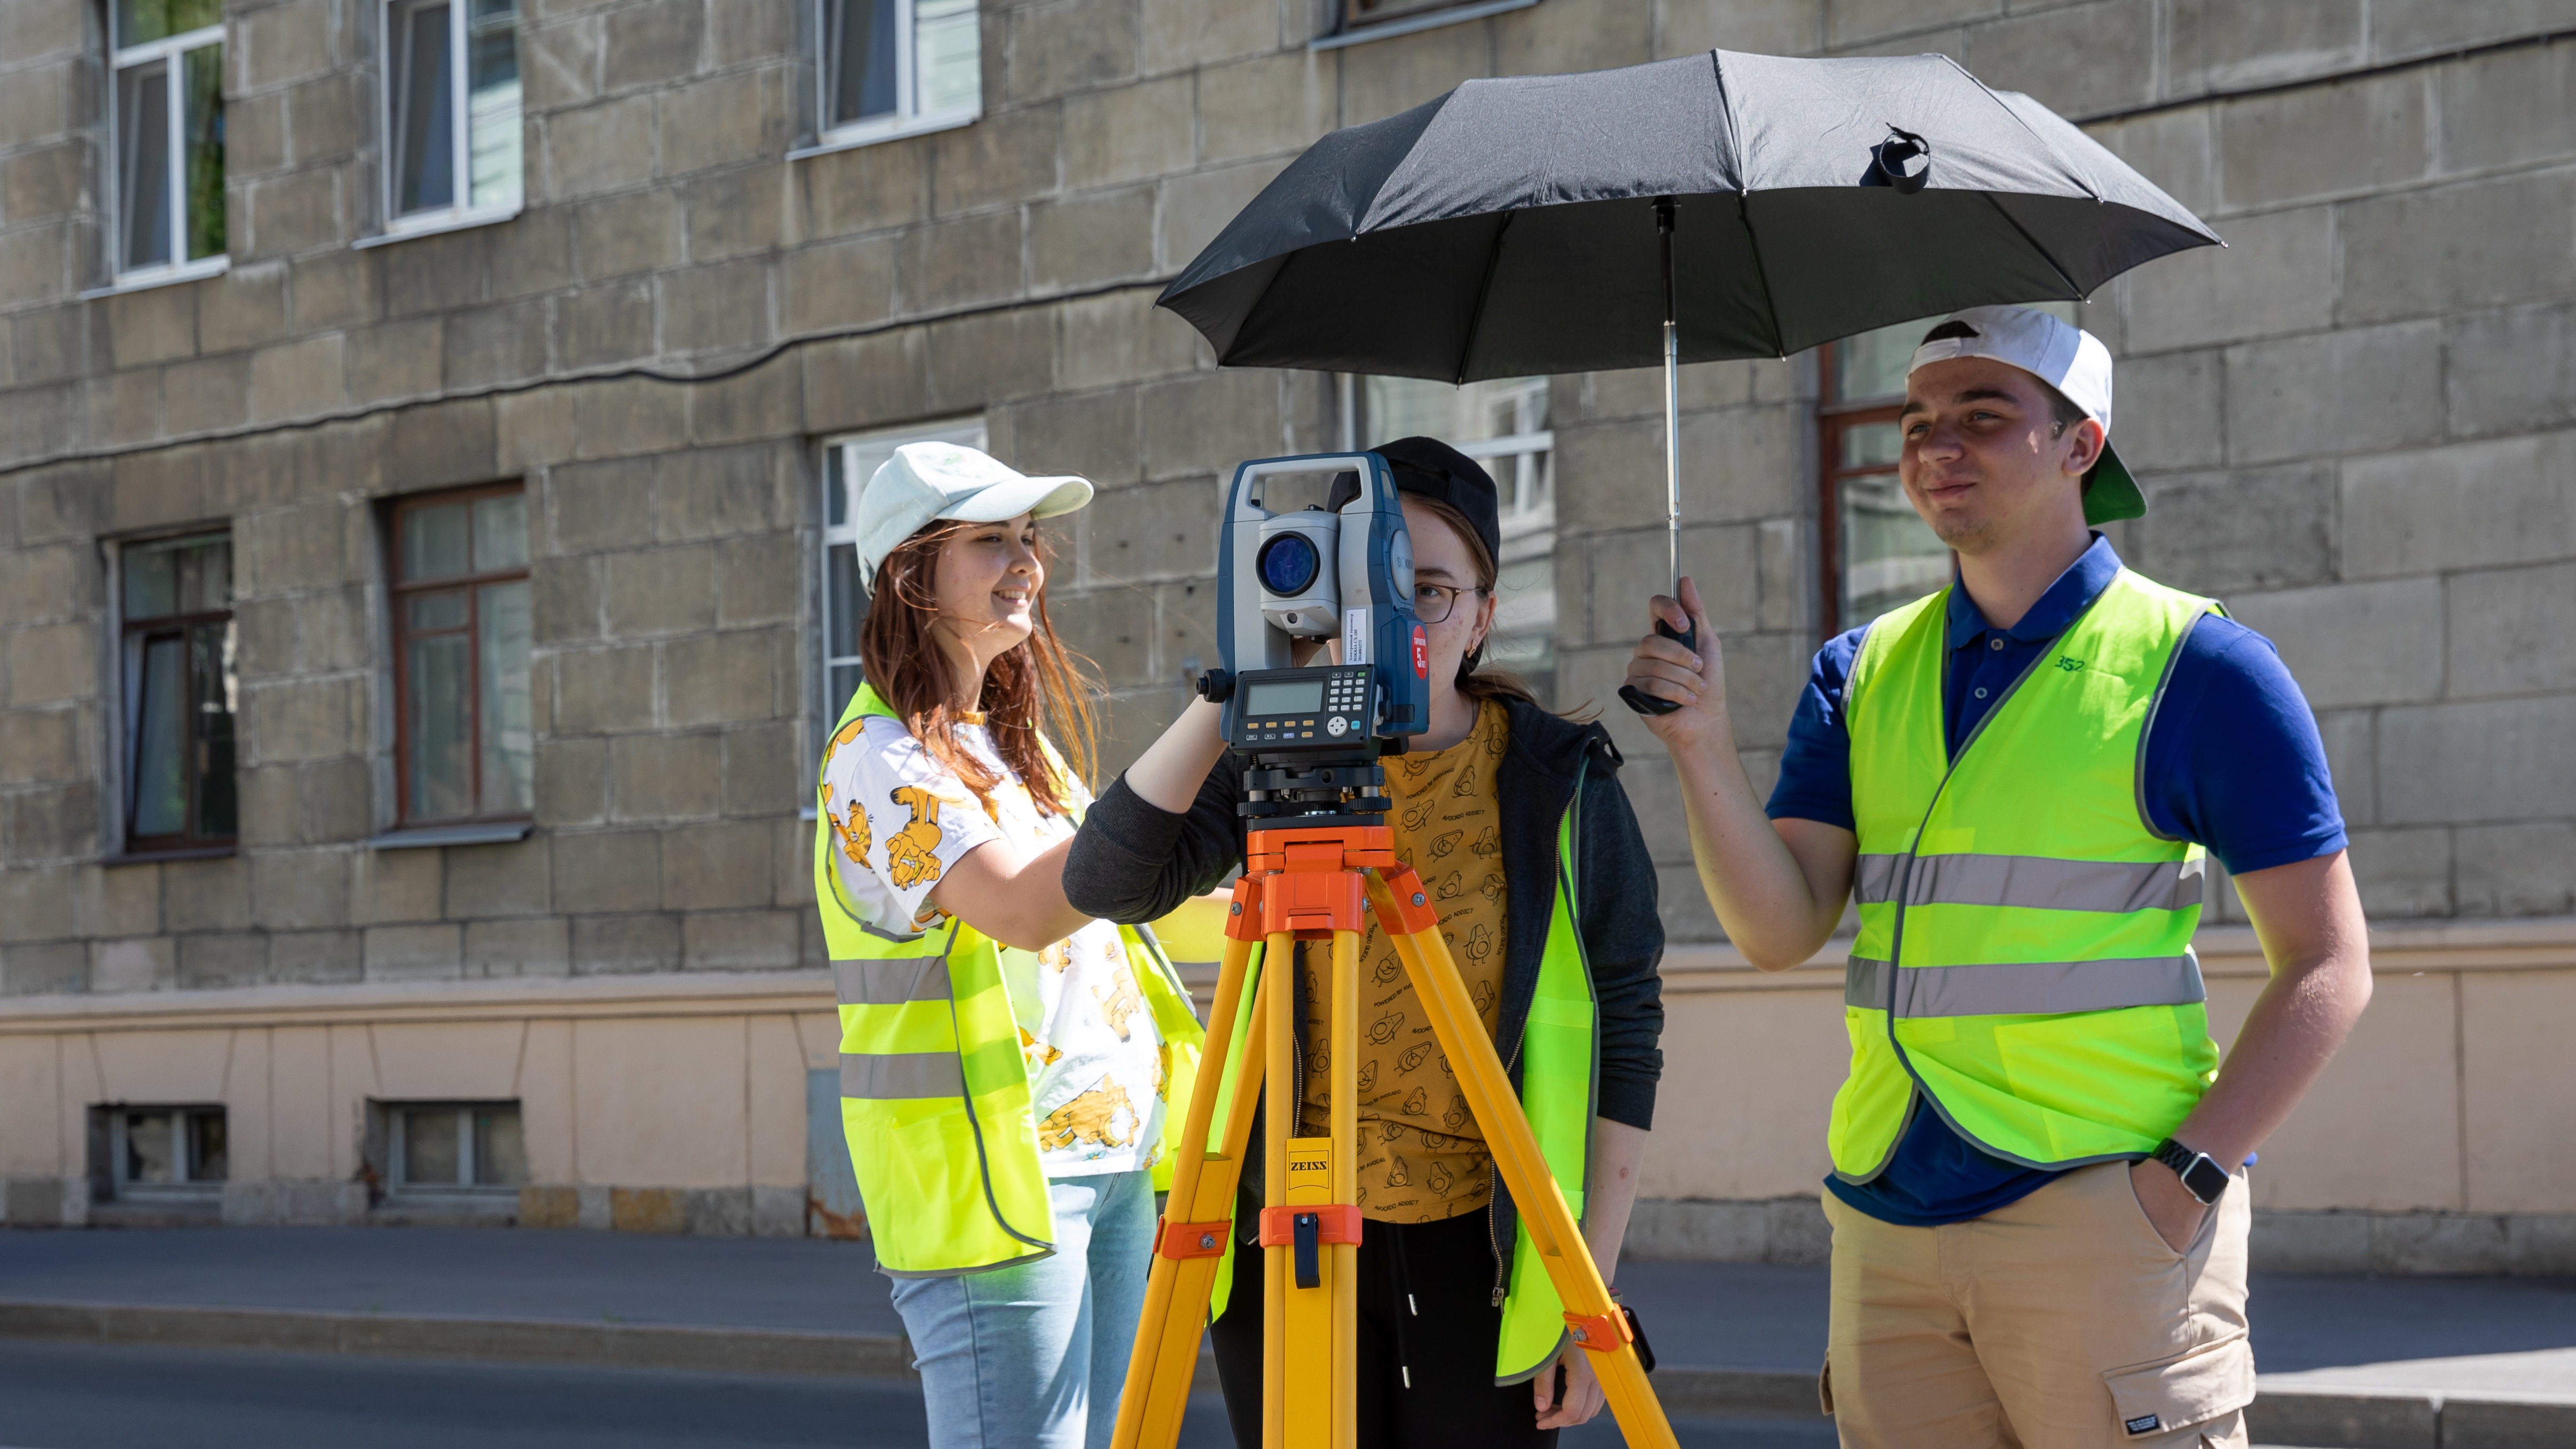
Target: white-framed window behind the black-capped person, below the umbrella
[(1503, 426)]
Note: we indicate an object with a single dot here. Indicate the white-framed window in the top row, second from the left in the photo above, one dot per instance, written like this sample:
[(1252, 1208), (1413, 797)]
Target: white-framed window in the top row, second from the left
[(452, 135)]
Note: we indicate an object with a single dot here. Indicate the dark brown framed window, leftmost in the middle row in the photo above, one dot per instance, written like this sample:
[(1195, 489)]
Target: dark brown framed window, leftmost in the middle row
[(176, 652)]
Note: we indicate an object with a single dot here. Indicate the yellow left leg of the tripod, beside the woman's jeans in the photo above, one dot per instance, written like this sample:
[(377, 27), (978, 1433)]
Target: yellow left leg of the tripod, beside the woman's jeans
[(1204, 1180)]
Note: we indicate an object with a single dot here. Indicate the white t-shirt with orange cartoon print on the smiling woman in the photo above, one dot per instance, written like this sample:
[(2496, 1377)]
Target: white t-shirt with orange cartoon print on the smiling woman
[(1099, 1072)]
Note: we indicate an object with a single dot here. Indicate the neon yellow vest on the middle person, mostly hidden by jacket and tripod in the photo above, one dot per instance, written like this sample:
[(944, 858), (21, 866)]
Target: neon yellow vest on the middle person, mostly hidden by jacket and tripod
[(1560, 1075)]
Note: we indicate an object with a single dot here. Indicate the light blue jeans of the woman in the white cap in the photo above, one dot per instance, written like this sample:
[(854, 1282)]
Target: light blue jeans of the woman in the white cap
[(1034, 1355)]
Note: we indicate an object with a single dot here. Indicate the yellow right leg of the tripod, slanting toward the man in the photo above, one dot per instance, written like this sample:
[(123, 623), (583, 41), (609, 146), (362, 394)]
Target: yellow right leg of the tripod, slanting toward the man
[(1488, 1090)]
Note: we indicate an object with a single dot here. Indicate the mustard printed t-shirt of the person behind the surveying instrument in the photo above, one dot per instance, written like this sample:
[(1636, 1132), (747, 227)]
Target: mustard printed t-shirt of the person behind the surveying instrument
[(1421, 1154)]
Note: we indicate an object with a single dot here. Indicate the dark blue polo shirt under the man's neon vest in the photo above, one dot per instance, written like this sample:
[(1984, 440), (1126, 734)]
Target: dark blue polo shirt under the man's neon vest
[(2232, 763)]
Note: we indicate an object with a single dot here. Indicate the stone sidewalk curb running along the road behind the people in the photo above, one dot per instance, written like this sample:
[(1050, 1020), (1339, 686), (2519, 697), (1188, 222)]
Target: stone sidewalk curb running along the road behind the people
[(2309, 1419)]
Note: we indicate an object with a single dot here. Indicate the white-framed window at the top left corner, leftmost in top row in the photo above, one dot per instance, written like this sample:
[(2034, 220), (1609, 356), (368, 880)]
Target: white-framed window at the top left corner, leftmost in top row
[(169, 138)]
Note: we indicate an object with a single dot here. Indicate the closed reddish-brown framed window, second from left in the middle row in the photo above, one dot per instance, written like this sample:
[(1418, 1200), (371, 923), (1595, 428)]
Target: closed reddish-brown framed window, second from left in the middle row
[(465, 745)]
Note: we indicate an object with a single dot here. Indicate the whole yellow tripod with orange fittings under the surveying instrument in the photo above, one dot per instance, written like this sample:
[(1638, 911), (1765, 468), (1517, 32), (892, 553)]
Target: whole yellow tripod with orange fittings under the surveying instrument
[(1323, 884)]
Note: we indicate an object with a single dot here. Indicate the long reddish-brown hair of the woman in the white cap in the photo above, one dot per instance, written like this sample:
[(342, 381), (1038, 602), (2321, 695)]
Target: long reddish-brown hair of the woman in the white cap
[(1034, 691)]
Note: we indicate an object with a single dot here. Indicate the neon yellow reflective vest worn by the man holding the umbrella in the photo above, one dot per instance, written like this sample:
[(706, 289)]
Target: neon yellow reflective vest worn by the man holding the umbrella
[(2026, 936)]
